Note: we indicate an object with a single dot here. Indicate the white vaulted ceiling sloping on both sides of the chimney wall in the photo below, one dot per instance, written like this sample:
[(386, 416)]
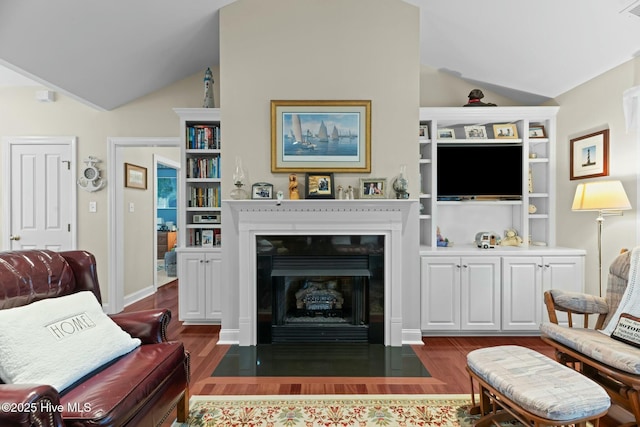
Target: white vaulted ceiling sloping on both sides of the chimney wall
[(108, 53)]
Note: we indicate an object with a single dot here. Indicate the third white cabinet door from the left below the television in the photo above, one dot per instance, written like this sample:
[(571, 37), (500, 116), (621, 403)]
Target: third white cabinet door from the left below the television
[(521, 293)]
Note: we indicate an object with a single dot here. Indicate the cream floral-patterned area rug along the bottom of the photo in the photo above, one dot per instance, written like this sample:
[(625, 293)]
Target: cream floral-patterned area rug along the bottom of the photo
[(445, 410)]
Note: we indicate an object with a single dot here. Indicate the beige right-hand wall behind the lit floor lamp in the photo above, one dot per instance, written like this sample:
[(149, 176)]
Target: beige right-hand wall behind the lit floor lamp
[(593, 106)]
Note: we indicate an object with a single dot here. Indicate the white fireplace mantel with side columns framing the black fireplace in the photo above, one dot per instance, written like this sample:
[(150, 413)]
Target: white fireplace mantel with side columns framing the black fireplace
[(397, 220)]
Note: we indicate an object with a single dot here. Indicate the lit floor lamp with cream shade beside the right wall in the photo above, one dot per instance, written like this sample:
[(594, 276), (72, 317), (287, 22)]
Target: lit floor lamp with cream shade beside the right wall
[(608, 198)]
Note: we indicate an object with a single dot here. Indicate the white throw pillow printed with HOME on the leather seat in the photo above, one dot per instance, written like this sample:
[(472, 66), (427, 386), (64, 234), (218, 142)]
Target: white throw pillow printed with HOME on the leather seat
[(57, 341)]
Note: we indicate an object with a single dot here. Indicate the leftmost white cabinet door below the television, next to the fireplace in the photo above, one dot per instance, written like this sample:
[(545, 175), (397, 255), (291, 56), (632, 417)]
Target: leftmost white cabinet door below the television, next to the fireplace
[(440, 279)]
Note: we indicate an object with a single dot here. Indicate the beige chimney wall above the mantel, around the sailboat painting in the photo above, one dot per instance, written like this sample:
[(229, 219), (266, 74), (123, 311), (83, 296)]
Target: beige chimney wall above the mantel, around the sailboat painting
[(329, 49)]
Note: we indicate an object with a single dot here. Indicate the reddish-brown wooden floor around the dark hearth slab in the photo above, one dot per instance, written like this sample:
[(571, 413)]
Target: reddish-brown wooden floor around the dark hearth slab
[(443, 357)]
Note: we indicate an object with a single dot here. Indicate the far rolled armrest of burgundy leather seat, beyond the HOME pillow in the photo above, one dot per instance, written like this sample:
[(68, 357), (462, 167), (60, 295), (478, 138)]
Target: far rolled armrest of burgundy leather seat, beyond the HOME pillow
[(148, 325)]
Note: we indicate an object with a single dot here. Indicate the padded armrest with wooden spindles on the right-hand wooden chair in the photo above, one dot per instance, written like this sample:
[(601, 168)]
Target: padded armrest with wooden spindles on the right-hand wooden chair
[(575, 303)]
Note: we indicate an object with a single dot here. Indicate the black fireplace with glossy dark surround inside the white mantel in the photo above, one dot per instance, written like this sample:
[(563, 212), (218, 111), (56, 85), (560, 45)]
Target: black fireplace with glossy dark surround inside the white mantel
[(320, 288)]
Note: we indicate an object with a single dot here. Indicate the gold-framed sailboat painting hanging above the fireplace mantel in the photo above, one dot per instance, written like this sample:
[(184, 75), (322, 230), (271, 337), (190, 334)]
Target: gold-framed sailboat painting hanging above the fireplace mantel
[(329, 136)]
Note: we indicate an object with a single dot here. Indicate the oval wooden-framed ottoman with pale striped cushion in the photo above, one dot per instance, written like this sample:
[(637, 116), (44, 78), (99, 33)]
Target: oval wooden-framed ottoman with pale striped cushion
[(517, 382)]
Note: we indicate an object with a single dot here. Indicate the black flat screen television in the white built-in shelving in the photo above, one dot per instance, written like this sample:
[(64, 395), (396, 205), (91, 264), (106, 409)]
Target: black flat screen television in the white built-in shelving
[(485, 171)]
